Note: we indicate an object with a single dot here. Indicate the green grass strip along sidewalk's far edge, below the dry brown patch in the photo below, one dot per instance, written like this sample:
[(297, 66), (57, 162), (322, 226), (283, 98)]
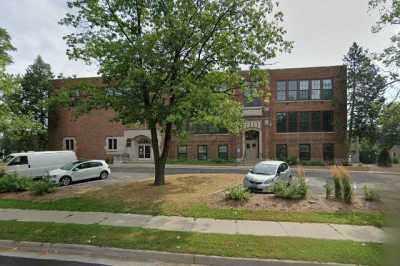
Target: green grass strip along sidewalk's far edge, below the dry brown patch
[(198, 210)]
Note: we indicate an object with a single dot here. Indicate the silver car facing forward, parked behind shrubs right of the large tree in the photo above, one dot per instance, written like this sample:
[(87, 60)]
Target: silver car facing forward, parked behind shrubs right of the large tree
[(265, 174)]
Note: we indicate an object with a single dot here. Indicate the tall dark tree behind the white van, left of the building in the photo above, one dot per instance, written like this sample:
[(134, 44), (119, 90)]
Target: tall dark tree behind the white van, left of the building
[(32, 98)]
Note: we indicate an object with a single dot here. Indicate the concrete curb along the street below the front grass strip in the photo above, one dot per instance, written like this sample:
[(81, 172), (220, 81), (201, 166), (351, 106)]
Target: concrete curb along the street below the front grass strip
[(167, 257)]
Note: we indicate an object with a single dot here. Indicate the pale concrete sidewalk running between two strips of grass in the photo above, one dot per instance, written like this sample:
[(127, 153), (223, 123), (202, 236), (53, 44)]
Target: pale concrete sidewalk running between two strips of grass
[(203, 225)]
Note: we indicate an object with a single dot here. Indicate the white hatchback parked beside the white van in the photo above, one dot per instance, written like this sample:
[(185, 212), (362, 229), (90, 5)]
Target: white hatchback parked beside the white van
[(80, 170)]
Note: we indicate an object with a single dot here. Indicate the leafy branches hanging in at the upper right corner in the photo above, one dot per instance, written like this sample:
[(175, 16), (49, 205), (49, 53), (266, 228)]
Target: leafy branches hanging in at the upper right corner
[(390, 57)]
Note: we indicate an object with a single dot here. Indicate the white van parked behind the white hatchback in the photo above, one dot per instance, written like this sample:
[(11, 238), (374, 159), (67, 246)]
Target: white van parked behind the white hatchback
[(38, 164)]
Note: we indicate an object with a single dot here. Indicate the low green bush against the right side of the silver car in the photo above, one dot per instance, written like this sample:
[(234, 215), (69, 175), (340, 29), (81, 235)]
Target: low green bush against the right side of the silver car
[(296, 190)]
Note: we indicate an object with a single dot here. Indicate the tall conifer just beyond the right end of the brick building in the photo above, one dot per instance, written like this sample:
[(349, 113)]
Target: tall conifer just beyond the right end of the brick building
[(365, 89)]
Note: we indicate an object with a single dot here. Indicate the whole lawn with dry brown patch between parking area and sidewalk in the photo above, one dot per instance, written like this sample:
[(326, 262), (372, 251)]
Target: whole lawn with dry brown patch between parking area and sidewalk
[(184, 195)]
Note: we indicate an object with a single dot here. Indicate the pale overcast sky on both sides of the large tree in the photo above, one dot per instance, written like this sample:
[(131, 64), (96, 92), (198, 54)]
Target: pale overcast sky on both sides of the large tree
[(323, 31)]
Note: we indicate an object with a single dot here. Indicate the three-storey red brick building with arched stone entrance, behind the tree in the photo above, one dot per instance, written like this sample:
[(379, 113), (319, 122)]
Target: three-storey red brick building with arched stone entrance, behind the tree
[(306, 118)]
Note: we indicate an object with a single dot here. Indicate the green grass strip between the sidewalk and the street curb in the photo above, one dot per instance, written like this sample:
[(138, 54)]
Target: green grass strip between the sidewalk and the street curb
[(197, 243)]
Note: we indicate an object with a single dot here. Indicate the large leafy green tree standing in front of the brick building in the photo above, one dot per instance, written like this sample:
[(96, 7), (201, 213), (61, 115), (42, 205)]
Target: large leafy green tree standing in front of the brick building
[(169, 63)]
